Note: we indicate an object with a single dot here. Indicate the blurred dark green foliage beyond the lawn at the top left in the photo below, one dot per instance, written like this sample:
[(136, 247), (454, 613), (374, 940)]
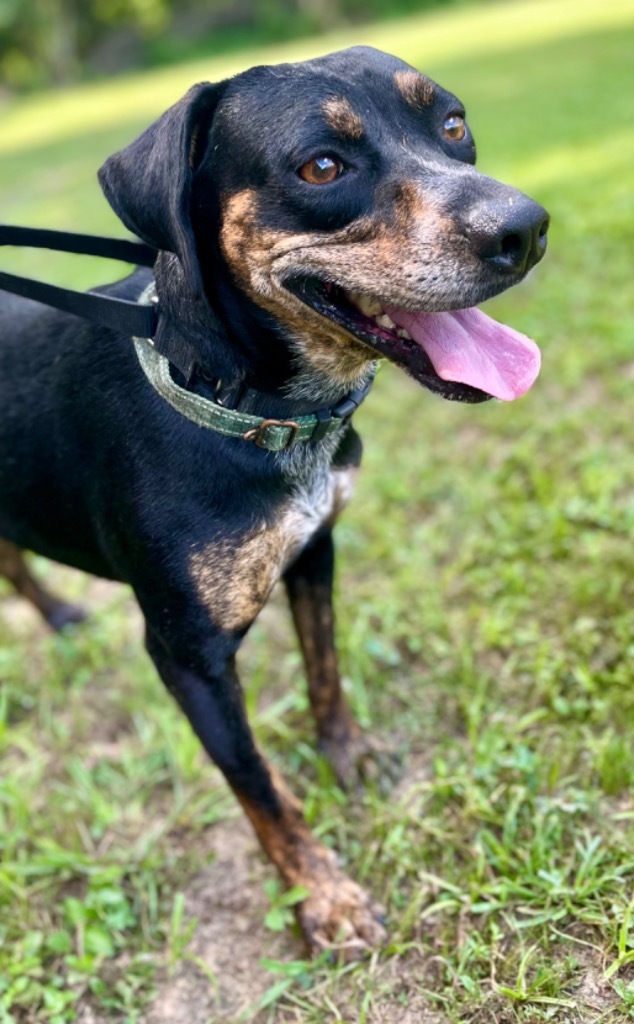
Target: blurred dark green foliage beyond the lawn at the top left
[(55, 42)]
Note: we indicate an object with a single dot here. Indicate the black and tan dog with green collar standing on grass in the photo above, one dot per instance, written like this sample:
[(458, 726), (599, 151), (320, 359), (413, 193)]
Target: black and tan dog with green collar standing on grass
[(311, 220)]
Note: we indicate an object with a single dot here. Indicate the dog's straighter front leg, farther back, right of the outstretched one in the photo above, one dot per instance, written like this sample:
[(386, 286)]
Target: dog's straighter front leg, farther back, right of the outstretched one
[(354, 755)]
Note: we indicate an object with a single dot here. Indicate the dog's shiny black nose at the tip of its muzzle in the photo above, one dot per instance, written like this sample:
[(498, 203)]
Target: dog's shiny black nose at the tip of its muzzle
[(510, 237)]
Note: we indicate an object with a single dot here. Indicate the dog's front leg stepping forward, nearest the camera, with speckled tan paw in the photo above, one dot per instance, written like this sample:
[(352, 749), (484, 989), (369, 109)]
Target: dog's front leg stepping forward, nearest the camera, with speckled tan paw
[(337, 913)]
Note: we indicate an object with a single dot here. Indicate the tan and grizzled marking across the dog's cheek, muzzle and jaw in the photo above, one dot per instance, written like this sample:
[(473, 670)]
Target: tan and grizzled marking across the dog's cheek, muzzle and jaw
[(392, 260)]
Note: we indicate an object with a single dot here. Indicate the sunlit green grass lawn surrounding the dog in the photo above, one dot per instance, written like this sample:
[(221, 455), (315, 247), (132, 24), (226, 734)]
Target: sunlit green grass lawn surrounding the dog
[(486, 621)]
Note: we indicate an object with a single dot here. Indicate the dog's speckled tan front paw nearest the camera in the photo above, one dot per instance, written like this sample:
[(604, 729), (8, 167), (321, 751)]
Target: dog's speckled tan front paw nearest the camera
[(342, 917)]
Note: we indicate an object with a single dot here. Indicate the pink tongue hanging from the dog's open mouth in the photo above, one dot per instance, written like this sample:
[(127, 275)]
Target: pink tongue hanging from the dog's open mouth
[(472, 349)]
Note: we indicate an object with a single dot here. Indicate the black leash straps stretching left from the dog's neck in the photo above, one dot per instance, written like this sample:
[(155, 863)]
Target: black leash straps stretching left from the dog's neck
[(120, 315)]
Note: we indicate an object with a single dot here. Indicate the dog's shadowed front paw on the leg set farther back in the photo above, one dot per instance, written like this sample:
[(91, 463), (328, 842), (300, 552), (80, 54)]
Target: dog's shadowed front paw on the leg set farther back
[(362, 760)]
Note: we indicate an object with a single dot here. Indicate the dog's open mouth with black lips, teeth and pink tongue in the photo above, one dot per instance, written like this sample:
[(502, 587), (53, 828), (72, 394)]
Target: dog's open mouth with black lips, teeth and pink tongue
[(462, 355)]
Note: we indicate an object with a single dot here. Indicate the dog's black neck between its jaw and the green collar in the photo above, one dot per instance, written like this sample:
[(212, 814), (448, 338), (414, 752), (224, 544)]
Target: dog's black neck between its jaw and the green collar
[(248, 363)]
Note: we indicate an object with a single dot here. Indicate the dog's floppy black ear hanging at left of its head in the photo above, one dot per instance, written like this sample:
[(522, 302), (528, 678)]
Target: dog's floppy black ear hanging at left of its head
[(149, 184)]
